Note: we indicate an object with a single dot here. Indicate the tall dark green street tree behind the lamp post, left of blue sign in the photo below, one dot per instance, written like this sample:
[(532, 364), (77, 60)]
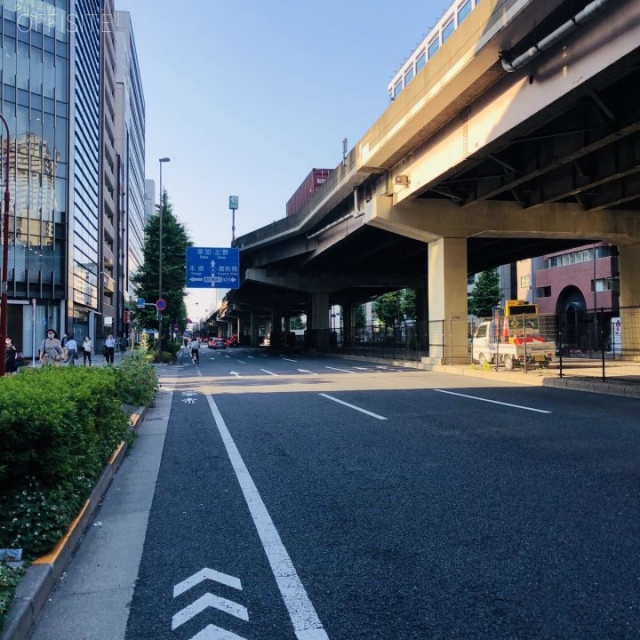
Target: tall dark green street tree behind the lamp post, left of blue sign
[(146, 280)]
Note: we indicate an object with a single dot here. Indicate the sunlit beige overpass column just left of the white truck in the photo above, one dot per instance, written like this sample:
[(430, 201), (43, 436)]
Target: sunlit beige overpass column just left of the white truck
[(447, 291)]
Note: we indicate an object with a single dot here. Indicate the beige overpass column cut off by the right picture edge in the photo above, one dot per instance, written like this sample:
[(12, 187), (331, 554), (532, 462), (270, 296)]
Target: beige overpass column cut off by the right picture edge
[(630, 301)]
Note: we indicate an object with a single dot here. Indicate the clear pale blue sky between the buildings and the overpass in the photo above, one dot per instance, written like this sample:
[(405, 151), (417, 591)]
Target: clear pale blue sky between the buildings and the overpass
[(247, 96)]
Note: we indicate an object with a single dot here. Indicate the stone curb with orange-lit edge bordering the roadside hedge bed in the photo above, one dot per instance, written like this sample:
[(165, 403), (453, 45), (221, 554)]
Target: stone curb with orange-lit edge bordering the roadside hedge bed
[(40, 579)]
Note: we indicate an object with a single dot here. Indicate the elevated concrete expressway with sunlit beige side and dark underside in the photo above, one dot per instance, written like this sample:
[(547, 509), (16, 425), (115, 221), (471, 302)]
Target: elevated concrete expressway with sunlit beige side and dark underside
[(520, 137)]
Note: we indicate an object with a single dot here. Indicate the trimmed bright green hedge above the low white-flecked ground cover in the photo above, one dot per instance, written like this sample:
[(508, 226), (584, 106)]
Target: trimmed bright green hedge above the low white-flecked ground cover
[(58, 422)]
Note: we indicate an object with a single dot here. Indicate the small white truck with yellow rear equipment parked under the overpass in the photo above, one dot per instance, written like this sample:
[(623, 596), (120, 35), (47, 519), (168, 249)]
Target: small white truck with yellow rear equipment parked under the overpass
[(513, 339)]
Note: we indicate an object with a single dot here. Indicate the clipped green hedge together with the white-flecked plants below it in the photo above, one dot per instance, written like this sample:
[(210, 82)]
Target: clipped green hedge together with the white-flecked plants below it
[(58, 426)]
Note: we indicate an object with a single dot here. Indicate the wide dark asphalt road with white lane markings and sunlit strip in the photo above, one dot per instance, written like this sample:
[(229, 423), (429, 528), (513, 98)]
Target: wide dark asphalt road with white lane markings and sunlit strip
[(304, 498)]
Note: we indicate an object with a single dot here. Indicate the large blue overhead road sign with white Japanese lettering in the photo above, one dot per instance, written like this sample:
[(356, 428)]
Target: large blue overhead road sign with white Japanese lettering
[(213, 268)]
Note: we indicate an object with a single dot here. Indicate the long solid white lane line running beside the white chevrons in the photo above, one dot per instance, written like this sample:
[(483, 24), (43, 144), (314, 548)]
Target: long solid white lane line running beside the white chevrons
[(306, 624)]
